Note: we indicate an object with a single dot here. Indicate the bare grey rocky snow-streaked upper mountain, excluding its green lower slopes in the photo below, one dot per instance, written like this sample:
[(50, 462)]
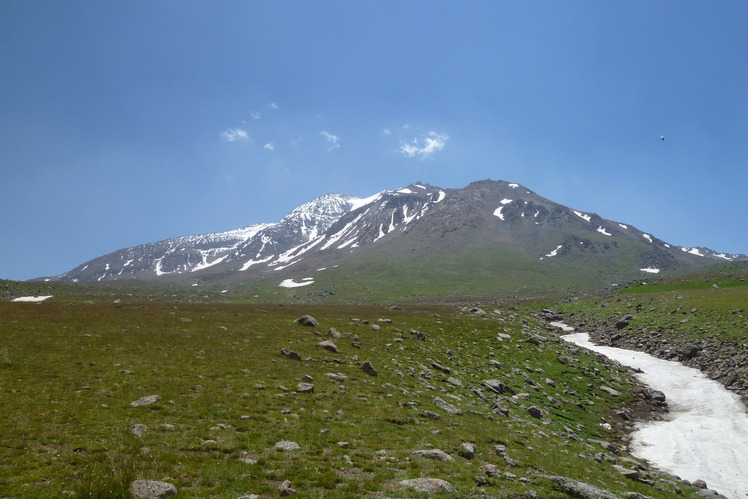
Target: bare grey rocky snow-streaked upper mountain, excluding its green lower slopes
[(415, 220)]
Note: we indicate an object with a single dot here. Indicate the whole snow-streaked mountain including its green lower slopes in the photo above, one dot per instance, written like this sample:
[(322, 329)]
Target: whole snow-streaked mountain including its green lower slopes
[(490, 233)]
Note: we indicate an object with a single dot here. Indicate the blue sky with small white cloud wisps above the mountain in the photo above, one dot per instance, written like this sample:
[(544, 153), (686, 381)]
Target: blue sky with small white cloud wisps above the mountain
[(123, 123)]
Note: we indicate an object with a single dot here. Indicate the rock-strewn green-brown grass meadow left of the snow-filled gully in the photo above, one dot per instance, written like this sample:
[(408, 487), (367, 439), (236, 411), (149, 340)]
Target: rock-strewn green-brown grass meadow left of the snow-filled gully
[(69, 371)]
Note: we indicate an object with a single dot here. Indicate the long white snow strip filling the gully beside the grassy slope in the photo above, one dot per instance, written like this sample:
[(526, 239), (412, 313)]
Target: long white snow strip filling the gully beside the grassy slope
[(704, 436)]
